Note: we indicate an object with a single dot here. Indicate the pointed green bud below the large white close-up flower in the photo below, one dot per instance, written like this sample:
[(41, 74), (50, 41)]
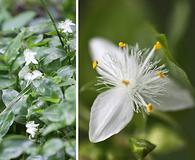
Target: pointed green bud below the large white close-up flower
[(140, 147)]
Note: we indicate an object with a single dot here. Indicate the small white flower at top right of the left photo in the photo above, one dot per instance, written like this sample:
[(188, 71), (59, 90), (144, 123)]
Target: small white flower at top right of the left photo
[(67, 26)]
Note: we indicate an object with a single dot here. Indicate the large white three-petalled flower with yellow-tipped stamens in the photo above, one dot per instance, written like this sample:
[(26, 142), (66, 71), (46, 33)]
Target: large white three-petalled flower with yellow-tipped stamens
[(135, 82)]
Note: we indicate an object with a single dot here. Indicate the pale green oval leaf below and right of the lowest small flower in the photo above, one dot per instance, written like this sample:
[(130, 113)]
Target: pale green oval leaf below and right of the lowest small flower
[(52, 146)]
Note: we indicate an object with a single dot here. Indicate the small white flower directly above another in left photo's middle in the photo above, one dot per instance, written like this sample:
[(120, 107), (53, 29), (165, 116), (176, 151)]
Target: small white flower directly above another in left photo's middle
[(30, 57)]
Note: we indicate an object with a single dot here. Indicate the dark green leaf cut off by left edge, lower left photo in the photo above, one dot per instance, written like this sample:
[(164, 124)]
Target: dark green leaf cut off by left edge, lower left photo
[(6, 120)]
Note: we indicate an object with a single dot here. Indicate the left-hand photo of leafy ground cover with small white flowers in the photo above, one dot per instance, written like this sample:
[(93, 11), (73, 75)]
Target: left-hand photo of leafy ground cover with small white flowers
[(38, 79)]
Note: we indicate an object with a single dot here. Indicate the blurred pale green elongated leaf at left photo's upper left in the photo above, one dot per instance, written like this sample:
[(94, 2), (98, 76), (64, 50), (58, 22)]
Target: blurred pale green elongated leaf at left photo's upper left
[(18, 21)]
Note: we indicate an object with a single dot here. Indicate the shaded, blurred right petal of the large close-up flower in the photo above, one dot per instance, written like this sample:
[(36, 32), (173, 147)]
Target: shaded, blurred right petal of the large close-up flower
[(176, 98)]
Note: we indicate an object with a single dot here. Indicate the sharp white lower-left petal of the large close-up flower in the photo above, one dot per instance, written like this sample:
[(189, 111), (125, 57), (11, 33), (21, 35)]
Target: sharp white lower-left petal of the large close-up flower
[(111, 112)]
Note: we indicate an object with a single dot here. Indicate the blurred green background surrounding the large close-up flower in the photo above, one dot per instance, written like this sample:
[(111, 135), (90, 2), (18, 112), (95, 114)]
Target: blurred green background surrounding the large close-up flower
[(135, 21)]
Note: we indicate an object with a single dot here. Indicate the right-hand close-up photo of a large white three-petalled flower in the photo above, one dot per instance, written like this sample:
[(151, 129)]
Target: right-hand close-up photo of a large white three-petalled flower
[(136, 78)]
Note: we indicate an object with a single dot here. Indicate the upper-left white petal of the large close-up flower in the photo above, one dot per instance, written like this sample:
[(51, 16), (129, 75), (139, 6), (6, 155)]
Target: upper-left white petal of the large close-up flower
[(111, 60)]
